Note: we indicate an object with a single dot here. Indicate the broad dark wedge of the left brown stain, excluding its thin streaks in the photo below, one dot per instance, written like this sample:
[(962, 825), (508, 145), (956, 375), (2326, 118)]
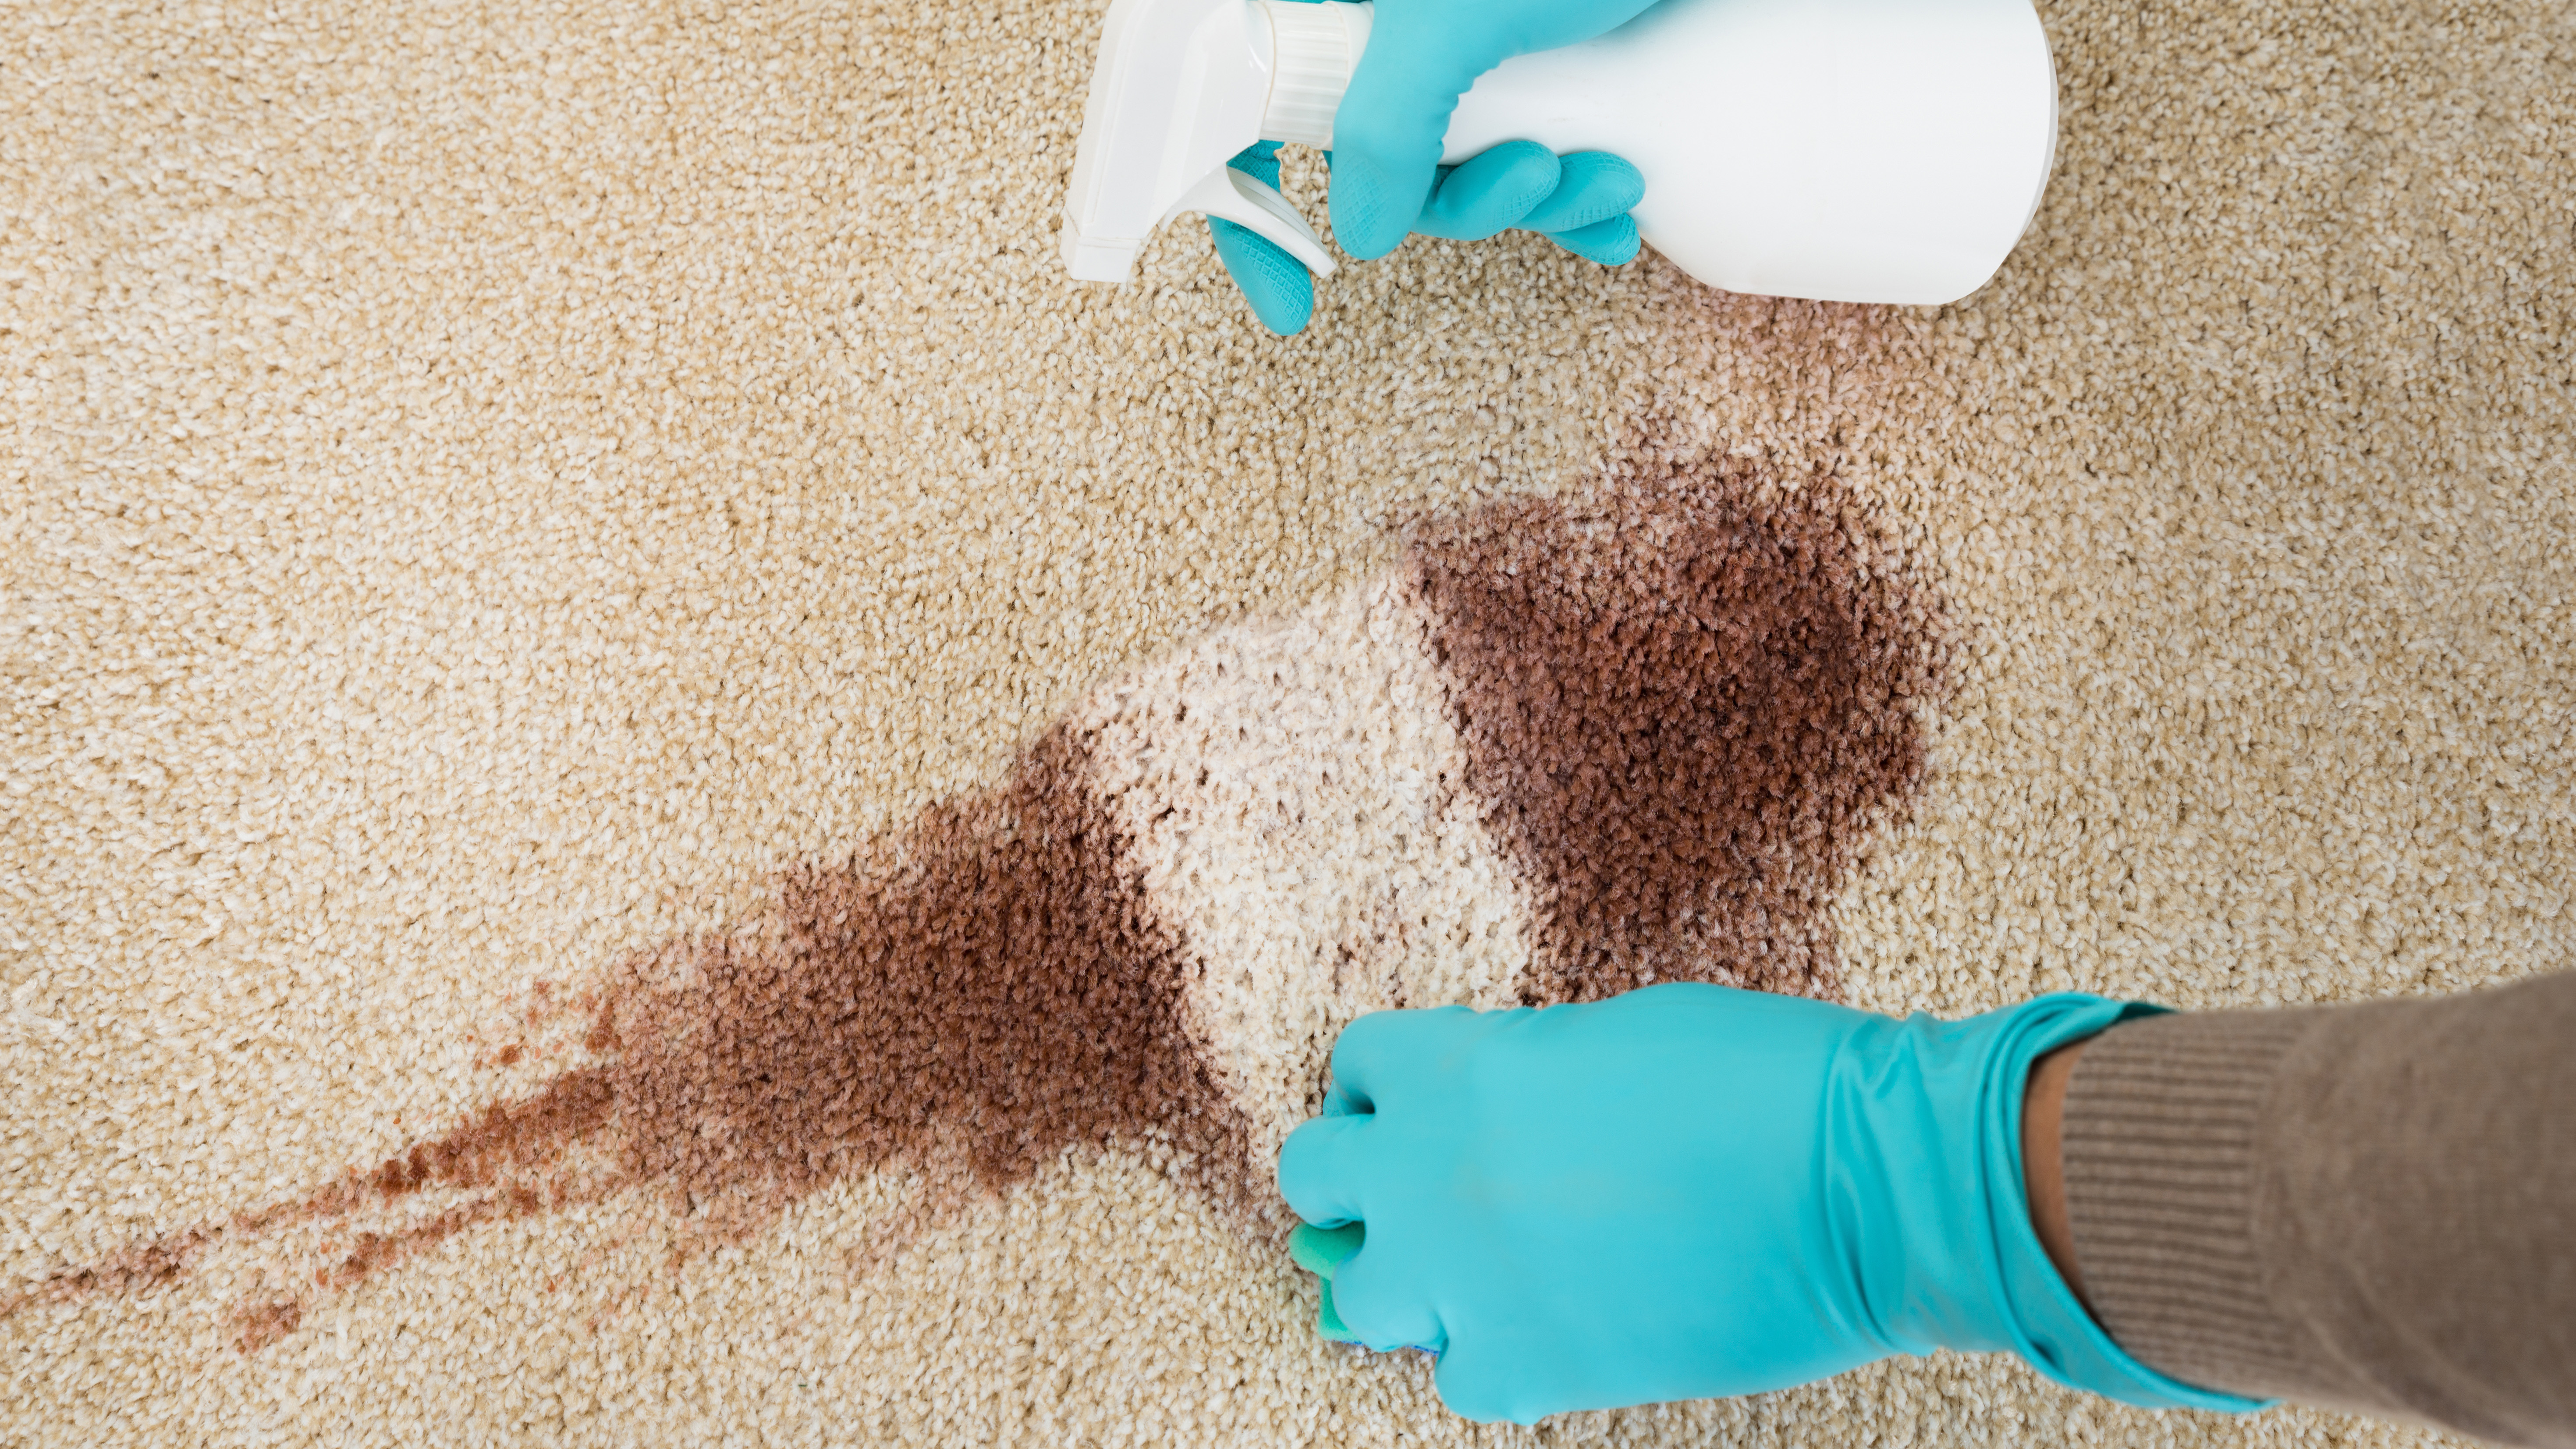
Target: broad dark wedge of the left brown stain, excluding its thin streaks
[(998, 989)]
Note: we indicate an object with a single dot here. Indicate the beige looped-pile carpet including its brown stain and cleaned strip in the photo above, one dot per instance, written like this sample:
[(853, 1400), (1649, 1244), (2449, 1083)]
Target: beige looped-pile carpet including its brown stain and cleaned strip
[(656, 790)]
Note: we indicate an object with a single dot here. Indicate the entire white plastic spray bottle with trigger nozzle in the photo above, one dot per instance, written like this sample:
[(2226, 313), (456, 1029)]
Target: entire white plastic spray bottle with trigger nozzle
[(1851, 151)]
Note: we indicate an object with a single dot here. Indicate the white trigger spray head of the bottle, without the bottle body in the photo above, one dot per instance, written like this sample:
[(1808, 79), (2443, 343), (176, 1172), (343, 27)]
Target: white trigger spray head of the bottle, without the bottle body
[(1179, 89)]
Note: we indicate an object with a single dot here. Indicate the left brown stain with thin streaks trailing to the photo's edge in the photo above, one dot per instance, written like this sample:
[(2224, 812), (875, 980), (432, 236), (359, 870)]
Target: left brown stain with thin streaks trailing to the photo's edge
[(972, 999)]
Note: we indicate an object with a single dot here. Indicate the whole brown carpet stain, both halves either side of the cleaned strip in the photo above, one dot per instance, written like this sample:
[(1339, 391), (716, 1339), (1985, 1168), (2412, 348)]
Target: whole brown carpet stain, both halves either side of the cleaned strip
[(1686, 697)]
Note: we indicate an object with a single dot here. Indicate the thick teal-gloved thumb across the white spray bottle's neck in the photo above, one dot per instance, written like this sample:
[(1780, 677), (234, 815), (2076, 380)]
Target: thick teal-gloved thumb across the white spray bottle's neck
[(1390, 125)]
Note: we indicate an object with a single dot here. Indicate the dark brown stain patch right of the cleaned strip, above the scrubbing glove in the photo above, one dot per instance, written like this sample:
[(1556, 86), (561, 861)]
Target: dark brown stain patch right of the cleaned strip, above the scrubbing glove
[(1686, 700)]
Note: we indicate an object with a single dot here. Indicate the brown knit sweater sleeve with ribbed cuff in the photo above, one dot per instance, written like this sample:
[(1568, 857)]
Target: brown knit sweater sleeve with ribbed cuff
[(2363, 1208)]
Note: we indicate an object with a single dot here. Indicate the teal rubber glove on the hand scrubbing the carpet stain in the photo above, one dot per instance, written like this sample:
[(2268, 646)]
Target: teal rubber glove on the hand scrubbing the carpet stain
[(1691, 1192)]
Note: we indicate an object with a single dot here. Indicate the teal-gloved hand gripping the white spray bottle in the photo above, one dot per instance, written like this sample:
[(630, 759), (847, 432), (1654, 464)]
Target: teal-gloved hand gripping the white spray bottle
[(1387, 174)]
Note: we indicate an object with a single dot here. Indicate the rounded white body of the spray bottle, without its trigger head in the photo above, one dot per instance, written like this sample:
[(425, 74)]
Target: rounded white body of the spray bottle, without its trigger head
[(1851, 151)]
